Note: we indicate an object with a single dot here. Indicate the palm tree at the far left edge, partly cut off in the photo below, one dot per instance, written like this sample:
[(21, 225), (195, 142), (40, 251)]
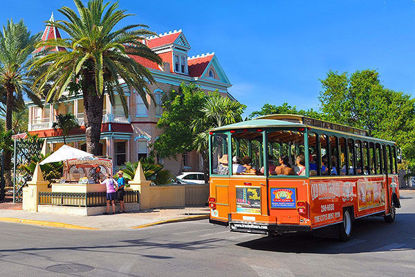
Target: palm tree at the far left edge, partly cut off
[(16, 46)]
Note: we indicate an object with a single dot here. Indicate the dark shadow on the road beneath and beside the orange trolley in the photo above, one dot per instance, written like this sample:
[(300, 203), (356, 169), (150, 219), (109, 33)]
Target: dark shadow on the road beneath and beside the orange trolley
[(369, 235)]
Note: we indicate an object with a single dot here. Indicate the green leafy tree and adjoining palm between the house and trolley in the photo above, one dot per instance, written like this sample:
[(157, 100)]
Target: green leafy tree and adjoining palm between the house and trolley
[(184, 133)]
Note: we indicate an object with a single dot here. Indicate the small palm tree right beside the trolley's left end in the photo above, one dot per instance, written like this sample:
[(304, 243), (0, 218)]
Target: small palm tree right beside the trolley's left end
[(217, 111)]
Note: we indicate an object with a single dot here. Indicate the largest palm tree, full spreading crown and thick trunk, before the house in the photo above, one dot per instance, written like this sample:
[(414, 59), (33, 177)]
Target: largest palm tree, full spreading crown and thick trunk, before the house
[(98, 56)]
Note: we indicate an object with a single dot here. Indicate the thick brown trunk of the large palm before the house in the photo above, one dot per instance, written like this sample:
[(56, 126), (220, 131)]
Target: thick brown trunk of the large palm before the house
[(93, 105)]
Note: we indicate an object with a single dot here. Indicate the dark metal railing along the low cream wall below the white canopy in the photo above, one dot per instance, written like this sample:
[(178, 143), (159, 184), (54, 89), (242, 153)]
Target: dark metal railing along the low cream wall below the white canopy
[(76, 199)]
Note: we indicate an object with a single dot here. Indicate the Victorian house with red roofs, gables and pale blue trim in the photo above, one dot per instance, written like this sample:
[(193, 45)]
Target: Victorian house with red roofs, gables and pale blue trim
[(129, 138)]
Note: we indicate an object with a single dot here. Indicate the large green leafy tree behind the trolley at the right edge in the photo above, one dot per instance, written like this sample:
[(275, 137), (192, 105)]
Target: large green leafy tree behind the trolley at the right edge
[(360, 100)]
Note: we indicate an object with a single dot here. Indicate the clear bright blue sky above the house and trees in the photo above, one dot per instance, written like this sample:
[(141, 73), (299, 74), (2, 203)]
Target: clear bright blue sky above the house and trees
[(276, 51)]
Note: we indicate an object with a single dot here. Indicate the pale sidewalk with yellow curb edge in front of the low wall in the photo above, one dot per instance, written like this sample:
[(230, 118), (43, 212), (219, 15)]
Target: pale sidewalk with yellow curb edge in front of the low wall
[(123, 221)]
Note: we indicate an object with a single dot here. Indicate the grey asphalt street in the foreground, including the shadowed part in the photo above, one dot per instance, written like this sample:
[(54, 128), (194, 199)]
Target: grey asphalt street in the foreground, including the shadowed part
[(198, 248)]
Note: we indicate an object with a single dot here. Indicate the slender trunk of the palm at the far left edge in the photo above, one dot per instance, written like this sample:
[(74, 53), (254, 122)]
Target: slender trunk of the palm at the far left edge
[(7, 153)]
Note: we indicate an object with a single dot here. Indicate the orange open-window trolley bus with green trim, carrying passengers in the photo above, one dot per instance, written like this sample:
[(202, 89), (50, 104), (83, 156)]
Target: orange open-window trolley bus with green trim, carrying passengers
[(284, 173)]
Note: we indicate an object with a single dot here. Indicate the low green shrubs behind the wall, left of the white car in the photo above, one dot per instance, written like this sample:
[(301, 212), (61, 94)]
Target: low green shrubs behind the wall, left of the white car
[(151, 169)]
